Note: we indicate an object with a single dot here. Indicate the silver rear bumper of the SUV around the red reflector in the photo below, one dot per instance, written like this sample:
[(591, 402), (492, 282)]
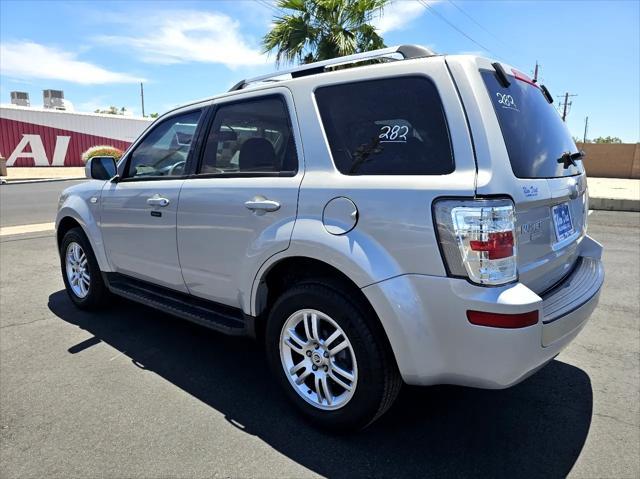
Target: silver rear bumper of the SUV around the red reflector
[(434, 343)]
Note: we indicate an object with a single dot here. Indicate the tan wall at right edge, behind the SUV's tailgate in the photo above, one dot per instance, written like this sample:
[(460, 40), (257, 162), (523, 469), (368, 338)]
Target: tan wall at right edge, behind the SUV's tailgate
[(608, 160)]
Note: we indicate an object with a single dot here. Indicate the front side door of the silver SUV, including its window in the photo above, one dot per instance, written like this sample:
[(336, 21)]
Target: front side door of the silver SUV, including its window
[(138, 212)]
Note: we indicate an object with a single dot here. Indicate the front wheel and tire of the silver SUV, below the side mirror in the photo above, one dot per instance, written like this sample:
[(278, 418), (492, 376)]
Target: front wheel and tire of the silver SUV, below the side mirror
[(87, 295)]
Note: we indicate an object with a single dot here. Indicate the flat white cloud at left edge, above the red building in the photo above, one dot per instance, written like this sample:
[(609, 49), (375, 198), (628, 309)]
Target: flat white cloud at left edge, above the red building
[(33, 60)]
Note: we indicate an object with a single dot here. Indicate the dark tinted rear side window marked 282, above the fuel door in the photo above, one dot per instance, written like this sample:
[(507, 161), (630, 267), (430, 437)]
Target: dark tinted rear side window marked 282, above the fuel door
[(394, 126)]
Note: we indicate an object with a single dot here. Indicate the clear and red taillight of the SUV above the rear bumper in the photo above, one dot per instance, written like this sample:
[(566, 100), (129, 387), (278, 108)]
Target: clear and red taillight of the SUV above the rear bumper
[(478, 239)]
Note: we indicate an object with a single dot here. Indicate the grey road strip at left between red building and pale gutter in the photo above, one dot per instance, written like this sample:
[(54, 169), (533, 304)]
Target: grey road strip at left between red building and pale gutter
[(31, 203)]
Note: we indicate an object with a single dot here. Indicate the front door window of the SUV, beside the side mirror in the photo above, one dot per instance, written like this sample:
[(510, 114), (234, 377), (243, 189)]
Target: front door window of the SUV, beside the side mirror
[(164, 151)]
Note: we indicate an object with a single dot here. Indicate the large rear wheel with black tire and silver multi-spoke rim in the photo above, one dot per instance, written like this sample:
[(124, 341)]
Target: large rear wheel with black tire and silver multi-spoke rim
[(376, 380)]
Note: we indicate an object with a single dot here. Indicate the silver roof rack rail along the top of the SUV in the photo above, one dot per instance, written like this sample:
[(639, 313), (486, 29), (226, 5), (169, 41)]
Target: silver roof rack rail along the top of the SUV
[(407, 52)]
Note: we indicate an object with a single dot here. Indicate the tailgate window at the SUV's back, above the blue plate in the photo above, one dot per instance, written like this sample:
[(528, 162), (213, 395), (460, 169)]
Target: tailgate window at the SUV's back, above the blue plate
[(535, 135)]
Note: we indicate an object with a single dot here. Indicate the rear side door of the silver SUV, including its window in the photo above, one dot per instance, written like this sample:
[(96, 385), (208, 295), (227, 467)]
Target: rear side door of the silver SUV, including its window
[(241, 206)]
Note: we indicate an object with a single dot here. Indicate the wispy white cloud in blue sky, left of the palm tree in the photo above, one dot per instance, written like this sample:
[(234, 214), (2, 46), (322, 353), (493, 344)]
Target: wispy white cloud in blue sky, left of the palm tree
[(190, 36)]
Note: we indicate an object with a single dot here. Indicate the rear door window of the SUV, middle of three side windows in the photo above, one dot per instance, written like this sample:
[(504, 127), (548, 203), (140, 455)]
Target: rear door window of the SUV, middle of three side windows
[(251, 136)]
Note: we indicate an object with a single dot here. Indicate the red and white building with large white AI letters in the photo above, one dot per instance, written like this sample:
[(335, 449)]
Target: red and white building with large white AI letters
[(48, 137)]
